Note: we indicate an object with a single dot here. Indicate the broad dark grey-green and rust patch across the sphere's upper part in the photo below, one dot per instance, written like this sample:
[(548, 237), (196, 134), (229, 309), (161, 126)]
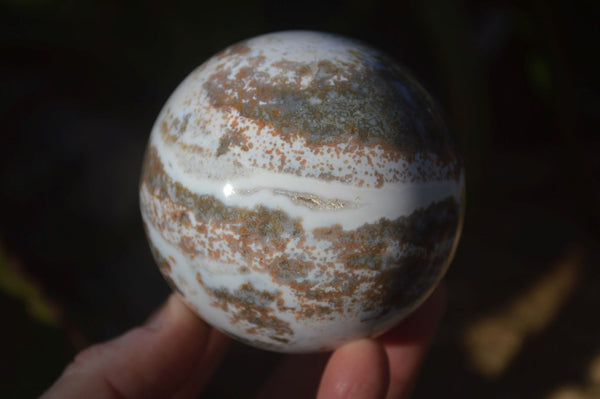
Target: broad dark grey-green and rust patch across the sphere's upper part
[(375, 102)]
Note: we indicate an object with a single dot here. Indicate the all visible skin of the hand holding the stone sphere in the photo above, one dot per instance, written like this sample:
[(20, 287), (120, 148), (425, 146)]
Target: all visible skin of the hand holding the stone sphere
[(175, 354)]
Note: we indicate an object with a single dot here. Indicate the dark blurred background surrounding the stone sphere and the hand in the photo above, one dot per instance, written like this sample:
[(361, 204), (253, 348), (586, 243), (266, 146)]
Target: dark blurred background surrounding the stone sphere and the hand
[(81, 83)]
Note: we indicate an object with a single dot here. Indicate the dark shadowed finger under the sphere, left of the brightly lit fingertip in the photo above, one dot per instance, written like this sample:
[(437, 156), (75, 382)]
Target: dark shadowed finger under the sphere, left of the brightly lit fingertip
[(296, 377)]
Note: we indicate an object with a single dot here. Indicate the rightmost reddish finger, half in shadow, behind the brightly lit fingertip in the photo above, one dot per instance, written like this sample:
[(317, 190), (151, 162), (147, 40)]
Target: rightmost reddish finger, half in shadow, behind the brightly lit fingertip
[(407, 344)]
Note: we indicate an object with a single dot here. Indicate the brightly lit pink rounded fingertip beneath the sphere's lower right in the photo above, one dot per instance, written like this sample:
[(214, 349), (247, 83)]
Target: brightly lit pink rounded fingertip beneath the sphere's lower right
[(355, 371)]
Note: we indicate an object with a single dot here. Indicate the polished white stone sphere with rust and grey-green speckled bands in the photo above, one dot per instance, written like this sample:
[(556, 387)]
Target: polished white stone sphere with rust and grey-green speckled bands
[(301, 190)]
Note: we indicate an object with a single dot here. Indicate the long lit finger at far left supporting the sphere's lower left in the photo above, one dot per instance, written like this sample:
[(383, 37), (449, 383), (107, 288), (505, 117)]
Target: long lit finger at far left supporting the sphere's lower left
[(152, 361)]
